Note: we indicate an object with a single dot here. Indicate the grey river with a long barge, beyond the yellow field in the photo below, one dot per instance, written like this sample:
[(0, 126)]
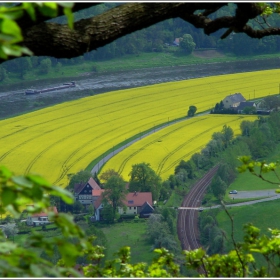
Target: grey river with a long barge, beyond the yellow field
[(13, 101)]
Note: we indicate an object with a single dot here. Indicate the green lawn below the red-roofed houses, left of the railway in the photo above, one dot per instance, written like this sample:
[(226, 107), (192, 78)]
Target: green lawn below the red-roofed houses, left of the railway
[(129, 234)]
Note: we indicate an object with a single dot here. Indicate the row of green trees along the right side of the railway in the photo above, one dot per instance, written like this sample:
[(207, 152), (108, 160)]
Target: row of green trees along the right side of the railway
[(258, 140)]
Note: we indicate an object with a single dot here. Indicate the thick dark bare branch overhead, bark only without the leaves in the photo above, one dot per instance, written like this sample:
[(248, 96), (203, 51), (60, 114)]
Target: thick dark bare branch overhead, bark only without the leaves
[(51, 39)]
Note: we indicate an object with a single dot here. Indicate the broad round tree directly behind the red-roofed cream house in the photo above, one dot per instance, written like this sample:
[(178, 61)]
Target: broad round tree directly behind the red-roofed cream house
[(144, 179)]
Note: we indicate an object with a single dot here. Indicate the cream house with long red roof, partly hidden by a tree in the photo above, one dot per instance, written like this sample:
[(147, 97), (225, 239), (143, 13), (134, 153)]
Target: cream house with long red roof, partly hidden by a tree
[(136, 203)]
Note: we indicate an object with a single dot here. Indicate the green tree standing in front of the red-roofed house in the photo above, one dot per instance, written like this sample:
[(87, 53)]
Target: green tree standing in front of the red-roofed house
[(115, 192)]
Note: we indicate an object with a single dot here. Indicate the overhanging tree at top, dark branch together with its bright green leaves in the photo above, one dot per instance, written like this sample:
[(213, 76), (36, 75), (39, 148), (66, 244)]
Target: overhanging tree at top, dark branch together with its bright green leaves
[(32, 32)]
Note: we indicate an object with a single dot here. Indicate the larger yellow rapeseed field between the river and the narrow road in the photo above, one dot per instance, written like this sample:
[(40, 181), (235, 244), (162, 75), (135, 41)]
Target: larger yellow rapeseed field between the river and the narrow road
[(65, 138)]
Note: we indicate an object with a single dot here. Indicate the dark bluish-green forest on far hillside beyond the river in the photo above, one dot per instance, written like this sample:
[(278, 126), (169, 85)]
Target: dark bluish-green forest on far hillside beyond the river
[(157, 38)]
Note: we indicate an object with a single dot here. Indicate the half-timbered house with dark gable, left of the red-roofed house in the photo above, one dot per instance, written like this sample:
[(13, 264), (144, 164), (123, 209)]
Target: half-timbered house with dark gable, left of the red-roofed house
[(83, 192)]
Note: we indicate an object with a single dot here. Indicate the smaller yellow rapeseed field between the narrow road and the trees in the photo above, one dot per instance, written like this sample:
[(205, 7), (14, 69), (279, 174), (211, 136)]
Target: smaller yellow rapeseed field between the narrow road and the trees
[(166, 148)]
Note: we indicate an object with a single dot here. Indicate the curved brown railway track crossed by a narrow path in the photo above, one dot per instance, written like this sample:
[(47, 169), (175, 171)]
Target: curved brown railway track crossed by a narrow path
[(187, 224)]
